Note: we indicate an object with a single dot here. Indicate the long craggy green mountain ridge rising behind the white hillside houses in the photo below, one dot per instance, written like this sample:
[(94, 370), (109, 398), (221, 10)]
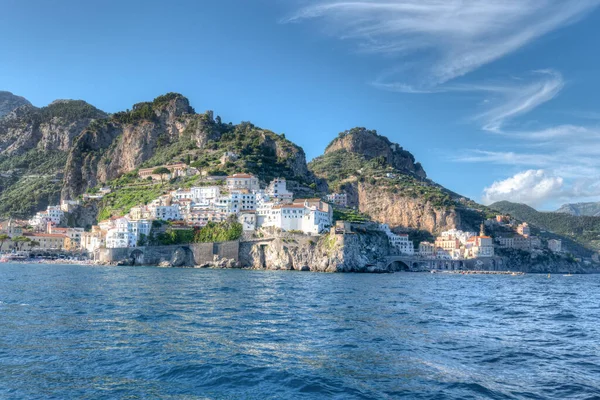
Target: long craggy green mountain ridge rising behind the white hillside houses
[(68, 147)]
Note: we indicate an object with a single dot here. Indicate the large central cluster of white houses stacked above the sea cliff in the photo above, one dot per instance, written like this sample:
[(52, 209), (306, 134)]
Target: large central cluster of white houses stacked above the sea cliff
[(241, 195)]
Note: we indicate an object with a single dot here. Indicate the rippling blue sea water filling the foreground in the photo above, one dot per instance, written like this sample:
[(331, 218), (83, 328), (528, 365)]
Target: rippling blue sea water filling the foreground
[(82, 332)]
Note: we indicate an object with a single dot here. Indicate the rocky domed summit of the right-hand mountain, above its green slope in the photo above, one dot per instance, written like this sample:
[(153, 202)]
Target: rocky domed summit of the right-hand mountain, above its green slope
[(371, 145)]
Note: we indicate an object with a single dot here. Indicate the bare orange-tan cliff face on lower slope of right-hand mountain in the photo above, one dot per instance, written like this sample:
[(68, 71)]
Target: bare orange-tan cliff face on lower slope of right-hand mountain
[(396, 209)]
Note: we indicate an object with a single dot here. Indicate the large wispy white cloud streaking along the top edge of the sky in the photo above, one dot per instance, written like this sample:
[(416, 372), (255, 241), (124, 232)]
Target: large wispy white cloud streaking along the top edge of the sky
[(445, 39)]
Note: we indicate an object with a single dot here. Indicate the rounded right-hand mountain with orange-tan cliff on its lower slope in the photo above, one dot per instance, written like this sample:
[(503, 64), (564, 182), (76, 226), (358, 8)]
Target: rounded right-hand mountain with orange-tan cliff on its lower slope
[(385, 182)]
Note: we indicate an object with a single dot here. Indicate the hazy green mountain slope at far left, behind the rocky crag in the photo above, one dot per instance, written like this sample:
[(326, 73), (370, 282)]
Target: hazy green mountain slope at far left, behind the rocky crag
[(34, 143)]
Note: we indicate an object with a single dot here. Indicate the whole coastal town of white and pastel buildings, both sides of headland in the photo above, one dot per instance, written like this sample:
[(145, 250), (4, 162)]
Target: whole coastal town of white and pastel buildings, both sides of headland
[(260, 211)]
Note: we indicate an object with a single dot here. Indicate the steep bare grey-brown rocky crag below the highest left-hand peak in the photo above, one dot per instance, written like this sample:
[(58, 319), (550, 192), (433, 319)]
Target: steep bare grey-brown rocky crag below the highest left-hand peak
[(109, 148)]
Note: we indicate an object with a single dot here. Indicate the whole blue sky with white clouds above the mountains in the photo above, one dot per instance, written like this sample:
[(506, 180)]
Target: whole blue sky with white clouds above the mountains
[(497, 99)]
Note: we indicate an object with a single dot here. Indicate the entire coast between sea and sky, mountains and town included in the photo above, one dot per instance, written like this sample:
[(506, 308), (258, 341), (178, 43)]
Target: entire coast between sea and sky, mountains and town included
[(80, 184)]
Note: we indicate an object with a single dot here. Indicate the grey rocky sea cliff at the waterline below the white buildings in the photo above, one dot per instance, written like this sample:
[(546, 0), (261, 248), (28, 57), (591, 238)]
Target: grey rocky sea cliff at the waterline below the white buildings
[(330, 253)]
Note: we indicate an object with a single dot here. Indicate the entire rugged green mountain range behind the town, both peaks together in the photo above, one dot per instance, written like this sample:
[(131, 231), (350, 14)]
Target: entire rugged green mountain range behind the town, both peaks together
[(70, 147)]
